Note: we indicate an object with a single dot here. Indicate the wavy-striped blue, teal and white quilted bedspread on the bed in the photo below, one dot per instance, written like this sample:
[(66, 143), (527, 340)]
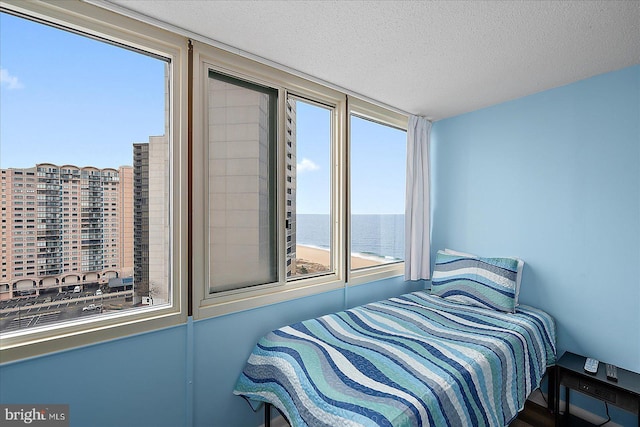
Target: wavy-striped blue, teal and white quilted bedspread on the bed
[(414, 360)]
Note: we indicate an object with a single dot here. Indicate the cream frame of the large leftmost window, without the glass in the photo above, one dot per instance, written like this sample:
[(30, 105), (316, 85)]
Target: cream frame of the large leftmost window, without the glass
[(103, 24)]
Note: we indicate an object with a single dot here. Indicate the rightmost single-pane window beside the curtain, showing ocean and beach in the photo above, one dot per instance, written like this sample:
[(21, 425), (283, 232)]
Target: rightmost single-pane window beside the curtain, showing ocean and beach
[(376, 196)]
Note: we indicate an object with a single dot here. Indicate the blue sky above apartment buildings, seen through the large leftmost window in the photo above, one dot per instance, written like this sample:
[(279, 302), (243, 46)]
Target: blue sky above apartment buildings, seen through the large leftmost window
[(64, 98)]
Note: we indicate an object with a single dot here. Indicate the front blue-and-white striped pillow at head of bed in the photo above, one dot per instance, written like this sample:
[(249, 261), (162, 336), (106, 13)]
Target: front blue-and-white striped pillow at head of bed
[(482, 282)]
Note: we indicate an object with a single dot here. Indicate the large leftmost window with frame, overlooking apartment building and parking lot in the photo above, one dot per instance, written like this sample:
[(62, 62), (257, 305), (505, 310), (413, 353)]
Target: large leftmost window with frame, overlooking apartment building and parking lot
[(78, 121)]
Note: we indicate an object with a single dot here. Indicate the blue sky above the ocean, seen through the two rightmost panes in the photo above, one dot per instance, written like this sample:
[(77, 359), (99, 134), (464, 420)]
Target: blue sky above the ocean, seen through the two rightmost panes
[(378, 164)]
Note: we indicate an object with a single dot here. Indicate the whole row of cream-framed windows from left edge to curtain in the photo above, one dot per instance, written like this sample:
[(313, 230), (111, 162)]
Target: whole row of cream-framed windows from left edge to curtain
[(133, 196)]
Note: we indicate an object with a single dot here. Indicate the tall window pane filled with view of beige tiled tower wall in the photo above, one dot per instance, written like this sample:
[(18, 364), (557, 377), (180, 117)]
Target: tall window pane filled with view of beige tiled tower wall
[(242, 184)]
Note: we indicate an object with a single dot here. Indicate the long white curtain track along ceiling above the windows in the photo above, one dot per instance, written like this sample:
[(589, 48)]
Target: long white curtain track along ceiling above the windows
[(121, 10)]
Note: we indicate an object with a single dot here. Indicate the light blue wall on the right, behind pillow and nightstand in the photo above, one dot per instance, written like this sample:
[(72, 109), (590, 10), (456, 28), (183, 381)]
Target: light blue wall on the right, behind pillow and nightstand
[(554, 178)]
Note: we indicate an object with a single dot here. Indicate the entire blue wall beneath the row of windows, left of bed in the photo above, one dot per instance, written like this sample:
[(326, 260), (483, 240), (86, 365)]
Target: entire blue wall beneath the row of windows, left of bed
[(180, 376)]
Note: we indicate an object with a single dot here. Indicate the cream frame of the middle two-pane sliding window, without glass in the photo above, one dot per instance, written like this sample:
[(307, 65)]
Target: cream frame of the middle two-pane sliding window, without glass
[(207, 58)]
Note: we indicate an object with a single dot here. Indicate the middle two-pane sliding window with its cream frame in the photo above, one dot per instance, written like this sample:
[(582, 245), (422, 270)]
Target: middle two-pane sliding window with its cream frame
[(268, 144)]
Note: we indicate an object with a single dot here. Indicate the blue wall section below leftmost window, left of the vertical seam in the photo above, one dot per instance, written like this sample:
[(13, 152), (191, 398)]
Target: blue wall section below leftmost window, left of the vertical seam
[(134, 381)]
